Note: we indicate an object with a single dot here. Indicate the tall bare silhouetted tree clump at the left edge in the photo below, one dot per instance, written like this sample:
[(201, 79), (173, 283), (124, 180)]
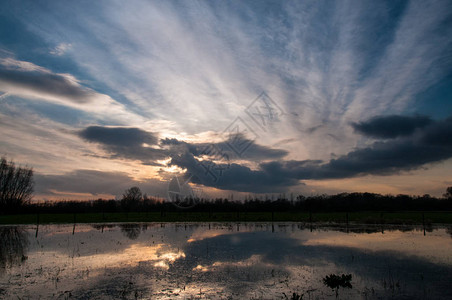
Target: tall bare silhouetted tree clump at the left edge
[(16, 185)]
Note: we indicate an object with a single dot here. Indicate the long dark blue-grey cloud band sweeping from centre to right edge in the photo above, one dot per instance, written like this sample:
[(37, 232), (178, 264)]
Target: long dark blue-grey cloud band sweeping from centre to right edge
[(431, 144)]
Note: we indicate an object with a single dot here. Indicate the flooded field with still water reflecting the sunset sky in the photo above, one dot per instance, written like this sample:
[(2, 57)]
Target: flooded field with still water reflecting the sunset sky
[(223, 261)]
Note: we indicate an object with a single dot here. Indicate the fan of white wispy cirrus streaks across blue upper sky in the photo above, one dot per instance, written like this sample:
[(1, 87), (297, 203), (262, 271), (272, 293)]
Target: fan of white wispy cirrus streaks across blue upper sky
[(311, 58)]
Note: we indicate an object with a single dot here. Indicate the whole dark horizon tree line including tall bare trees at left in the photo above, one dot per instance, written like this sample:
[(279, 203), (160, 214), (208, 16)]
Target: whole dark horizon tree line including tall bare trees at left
[(16, 190)]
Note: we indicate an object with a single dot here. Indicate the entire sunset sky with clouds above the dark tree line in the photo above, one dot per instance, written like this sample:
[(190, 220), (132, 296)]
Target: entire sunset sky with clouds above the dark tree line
[(230, 97)]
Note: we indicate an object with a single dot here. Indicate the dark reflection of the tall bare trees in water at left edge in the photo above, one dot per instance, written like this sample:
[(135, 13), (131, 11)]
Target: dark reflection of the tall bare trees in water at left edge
[(13, 246)]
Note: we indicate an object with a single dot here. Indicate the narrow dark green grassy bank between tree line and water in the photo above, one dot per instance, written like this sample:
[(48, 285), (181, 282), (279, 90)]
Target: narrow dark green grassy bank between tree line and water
[(187, 216)]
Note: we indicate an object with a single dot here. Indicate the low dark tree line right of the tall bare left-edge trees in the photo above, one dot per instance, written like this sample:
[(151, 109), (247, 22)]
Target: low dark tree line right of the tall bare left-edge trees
[(134, 201)]
